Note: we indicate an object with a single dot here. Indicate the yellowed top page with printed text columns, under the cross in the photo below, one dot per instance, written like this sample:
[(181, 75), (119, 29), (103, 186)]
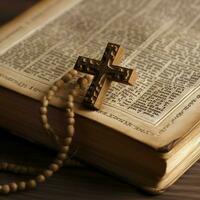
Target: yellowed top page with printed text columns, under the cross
[(161, 39)]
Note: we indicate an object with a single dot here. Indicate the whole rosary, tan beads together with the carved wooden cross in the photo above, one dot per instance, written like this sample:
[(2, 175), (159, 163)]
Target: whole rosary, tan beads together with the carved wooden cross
[(104, 72)]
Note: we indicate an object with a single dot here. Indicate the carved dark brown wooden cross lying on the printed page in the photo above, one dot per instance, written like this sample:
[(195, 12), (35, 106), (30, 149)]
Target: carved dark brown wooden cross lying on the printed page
[(104, 71)]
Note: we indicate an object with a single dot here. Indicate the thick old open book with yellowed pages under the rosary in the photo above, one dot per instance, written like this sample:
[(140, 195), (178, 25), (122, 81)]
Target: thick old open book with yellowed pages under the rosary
[(147, 134)]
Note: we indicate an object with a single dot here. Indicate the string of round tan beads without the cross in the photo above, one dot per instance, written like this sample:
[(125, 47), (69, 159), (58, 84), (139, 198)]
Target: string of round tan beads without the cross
[(64, 143)]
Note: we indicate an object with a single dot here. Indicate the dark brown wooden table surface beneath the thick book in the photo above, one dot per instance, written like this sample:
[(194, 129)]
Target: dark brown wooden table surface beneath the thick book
[(78, 183)]
